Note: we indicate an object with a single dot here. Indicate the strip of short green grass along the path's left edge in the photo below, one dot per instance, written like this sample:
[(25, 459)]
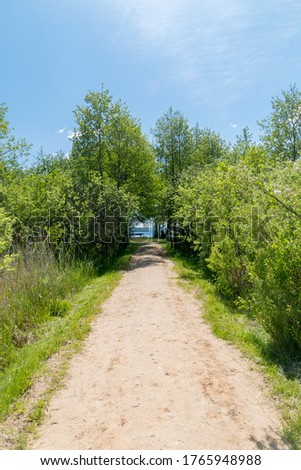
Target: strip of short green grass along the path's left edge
[(62, 334)]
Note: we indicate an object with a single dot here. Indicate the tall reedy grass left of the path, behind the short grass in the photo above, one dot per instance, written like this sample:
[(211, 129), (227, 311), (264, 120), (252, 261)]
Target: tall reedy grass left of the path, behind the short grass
[(35, 291)]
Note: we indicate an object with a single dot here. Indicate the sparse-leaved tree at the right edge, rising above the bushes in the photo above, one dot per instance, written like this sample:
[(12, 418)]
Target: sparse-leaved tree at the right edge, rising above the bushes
[(282, 128)]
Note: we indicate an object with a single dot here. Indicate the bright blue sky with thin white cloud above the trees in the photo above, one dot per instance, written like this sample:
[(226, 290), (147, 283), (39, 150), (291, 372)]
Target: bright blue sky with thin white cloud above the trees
[(218, 61)]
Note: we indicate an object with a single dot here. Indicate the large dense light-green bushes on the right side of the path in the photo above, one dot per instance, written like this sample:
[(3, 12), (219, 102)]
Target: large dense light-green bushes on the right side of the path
[(244, 222)]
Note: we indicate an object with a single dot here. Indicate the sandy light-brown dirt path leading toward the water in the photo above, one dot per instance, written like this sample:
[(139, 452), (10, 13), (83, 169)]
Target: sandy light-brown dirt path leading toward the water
[(152, 376)]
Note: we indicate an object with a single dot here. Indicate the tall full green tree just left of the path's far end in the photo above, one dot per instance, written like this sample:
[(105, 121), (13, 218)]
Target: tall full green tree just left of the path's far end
[(109, 151)]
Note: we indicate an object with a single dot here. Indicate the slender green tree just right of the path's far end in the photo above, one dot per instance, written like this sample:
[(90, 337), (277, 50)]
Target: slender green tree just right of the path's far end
[(181, 150)]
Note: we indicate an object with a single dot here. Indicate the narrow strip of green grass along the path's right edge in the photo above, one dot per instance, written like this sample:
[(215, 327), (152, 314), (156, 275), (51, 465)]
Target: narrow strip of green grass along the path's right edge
[(227, 322)]
